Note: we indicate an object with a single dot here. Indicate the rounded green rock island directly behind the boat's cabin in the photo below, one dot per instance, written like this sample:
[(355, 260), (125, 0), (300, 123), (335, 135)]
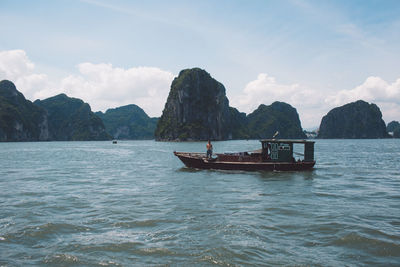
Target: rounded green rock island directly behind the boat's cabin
[(279, 116)]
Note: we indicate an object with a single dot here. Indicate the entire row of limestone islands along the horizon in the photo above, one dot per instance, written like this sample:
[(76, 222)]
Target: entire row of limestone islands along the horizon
[(197, 108)]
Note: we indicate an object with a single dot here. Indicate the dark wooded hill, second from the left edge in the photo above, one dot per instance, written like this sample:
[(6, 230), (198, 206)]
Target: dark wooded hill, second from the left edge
[(71, 119)]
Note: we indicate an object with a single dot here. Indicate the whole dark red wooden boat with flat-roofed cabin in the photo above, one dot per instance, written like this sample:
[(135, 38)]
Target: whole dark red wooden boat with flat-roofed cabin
[(274, 155)]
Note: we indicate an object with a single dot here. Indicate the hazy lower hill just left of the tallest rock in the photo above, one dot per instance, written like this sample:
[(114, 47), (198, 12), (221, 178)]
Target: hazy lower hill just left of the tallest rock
[(128, 122)]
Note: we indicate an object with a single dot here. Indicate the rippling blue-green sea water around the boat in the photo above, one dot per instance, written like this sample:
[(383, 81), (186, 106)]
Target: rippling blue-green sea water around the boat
[(135, 204)]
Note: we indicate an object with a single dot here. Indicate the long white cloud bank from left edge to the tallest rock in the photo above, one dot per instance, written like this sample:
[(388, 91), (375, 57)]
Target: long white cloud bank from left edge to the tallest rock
[(101, 85)]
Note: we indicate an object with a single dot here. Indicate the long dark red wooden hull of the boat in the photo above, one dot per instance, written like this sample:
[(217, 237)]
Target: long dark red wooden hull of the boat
[(194, 160)]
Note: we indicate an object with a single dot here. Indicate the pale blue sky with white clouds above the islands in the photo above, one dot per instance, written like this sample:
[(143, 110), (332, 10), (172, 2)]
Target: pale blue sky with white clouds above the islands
[(314, 55)]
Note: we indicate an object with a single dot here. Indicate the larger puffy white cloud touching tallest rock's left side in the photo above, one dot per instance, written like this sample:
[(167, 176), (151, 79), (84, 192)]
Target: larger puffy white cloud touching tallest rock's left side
[(105, 86)]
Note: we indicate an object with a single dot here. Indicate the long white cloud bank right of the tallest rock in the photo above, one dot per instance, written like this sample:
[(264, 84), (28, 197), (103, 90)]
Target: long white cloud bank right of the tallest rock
[(313, 104)]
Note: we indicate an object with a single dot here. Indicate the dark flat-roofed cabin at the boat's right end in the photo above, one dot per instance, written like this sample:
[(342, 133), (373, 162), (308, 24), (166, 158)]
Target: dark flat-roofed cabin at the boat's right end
[(281, 150)]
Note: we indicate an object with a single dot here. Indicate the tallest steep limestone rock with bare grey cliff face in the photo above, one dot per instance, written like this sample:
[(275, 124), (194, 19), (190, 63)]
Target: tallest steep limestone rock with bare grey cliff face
[(196, 109)]
